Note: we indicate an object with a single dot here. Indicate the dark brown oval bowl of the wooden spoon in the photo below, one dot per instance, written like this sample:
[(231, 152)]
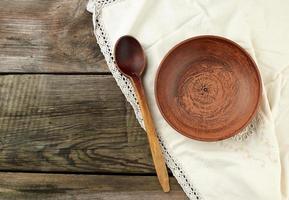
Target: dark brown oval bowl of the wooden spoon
[(130, 57)]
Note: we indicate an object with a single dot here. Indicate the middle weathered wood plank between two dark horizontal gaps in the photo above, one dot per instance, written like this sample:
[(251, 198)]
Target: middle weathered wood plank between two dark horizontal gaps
[(69, 123)]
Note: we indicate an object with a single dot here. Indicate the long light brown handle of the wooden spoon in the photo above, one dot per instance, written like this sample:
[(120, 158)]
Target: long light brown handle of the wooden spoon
[(156, 151)]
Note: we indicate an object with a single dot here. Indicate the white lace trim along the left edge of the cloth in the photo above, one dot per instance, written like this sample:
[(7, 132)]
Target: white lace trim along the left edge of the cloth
[(127, 89)]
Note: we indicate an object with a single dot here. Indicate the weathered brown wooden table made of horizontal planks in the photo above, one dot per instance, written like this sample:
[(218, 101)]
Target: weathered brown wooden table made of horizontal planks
[(66, 131)]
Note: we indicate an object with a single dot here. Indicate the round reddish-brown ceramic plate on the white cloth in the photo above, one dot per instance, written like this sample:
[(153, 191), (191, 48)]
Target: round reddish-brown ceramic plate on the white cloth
[(208, 88)]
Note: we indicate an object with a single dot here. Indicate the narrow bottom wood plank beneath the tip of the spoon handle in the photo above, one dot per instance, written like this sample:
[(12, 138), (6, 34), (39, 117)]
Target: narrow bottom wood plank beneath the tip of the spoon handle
[(28, 186)]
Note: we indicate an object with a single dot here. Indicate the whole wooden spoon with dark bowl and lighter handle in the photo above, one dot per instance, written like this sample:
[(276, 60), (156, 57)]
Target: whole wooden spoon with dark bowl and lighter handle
[(130, 60)]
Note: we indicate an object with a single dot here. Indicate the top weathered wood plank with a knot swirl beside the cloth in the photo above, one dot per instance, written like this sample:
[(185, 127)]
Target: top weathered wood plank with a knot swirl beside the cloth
[(48, 36)]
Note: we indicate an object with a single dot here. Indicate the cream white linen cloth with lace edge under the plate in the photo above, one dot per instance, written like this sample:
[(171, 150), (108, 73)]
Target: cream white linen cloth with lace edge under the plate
[(254, 165)]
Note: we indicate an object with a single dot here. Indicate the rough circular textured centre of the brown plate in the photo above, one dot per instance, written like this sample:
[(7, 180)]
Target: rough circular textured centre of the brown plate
[(203, 91)]
